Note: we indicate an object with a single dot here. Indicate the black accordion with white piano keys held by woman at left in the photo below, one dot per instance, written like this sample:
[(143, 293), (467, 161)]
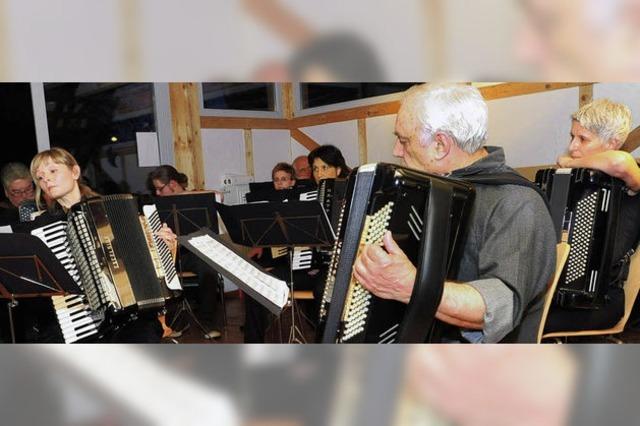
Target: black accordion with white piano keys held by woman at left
[(119, 263)]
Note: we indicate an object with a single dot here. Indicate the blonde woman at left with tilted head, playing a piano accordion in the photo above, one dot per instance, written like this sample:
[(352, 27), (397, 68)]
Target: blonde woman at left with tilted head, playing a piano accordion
[(57, 174)]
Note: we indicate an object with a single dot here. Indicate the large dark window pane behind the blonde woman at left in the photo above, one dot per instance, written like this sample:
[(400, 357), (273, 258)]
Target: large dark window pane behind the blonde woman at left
[(97, 123)]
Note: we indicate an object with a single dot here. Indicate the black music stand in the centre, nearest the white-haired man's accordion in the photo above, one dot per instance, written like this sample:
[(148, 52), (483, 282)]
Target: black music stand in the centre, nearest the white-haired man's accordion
[(291, 224)]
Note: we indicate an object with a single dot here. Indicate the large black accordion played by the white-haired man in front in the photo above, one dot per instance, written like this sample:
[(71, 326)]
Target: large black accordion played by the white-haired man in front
[(426, 215)]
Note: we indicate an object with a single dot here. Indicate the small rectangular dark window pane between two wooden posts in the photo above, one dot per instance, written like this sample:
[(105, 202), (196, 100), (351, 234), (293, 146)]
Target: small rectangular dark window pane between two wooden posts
[(239, 96)]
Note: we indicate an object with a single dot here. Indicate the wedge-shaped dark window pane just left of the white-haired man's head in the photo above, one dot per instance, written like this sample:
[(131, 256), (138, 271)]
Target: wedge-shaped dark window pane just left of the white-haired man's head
[(320, 94)]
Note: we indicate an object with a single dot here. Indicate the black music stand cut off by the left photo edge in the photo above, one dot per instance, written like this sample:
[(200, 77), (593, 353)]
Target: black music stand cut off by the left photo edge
[(29, 269)]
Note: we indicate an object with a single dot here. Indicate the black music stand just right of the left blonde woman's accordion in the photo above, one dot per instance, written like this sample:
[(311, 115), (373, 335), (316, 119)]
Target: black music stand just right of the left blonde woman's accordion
[(186, 213)]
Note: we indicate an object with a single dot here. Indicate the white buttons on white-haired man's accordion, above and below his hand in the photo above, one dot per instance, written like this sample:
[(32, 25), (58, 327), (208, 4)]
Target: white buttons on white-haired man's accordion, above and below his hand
[(358, 299)]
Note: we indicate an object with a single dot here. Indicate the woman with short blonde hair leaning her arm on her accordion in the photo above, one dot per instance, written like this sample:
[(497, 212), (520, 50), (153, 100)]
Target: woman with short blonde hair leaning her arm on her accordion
[(598, 130)]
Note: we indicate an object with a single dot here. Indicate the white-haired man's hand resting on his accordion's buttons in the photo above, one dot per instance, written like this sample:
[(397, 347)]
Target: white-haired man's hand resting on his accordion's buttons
[(386, 272)]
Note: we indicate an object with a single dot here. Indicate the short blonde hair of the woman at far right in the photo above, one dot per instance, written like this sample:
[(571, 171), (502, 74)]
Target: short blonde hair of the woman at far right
[(607, 119)]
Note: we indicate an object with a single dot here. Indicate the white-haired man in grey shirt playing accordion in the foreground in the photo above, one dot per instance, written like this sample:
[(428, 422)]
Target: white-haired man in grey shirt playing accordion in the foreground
[(508, 254)]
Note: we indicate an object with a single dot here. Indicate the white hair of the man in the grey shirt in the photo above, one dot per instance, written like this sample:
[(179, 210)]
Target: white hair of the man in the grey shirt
[(455, 109)]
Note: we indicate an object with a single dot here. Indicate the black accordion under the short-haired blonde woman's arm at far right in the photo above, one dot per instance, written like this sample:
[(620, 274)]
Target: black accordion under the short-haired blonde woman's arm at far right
[(584, 206)]
